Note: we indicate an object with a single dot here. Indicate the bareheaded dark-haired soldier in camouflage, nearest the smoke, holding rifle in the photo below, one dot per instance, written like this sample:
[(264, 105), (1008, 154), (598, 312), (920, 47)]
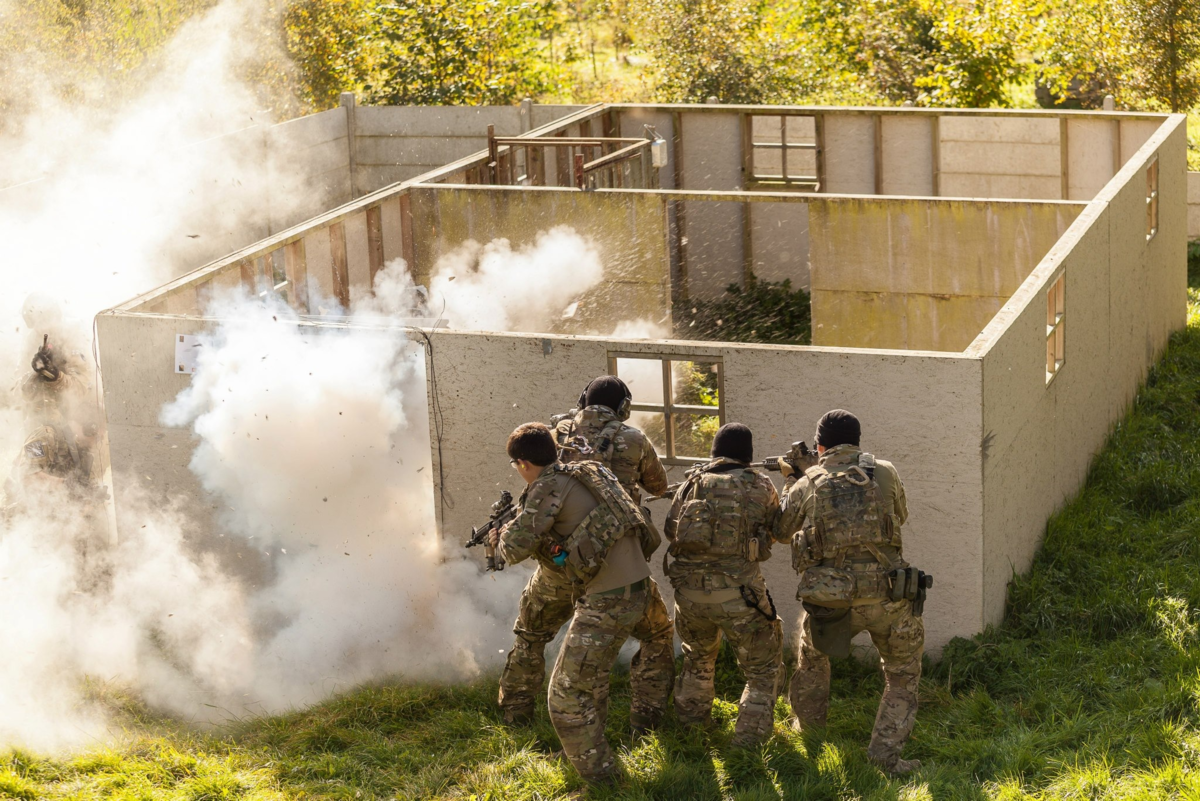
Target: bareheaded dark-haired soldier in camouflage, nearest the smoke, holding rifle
[(578, 517)]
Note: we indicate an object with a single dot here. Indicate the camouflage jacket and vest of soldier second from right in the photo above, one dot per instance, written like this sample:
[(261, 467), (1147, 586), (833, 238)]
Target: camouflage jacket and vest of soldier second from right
[(736, 510)]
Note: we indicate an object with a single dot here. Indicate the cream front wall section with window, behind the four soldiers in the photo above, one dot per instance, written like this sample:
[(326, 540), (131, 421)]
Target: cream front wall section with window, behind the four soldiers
[(920, 411)]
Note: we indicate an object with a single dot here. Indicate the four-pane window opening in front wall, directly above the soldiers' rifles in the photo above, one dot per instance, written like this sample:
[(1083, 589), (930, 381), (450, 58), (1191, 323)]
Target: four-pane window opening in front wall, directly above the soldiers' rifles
[(679, 402)]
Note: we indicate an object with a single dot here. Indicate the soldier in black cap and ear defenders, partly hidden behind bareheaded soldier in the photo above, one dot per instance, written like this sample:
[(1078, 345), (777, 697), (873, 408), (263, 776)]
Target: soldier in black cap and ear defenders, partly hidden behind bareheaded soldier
[(596, 432)]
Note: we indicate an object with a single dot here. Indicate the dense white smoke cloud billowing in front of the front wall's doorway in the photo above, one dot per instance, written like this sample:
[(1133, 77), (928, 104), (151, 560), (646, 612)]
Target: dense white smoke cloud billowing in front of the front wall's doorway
[(316, 444)]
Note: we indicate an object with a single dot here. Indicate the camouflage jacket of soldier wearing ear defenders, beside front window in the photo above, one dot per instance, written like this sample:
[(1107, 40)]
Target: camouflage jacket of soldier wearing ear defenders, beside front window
[(619, 447)]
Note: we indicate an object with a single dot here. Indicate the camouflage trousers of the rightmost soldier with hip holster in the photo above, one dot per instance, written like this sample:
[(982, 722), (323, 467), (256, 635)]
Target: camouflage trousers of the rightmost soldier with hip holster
[(901, 640)]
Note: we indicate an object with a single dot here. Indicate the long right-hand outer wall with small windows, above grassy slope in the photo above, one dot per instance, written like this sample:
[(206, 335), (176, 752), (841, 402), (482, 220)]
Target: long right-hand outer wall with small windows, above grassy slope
[(1124, 298)]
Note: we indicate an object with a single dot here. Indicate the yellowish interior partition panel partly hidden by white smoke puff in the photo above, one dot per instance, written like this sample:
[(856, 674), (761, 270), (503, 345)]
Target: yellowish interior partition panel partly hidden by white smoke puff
[(628, 230)]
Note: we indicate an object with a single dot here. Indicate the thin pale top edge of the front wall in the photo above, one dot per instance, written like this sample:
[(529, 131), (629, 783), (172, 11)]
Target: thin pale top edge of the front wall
[(686, 347)]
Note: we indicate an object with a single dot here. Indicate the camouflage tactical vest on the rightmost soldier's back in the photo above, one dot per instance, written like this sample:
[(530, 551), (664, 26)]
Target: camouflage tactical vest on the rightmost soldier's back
[(850, 523)]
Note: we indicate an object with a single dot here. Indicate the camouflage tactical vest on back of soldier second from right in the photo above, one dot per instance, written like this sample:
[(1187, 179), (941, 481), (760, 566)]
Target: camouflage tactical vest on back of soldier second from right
[(711, 521)]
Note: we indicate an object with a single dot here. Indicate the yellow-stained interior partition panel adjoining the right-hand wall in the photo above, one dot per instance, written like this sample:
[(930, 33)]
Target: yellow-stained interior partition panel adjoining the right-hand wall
[(919, 274)]
